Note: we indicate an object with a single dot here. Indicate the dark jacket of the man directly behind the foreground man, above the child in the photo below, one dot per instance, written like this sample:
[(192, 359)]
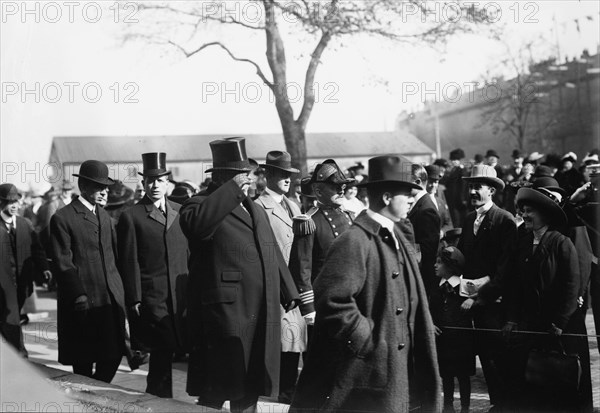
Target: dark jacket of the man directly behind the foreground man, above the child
[(426, 223)]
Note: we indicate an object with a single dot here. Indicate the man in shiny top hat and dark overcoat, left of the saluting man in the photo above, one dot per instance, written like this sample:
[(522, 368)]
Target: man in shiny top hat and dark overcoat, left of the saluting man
[(152, 261)]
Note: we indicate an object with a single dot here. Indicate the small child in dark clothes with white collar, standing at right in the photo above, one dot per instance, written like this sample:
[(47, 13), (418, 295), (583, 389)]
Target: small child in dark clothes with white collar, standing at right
[(456, 355)]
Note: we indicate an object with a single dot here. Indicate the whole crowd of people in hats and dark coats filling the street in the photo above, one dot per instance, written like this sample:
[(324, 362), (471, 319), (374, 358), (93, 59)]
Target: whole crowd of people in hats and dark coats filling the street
[(386, 285)]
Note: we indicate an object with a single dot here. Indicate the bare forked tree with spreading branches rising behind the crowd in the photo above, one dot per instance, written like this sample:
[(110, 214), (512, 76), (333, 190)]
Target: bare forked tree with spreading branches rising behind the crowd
[(407, 21)]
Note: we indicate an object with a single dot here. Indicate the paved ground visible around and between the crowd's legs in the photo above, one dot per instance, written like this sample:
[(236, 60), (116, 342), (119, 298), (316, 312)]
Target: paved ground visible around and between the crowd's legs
[(126, 392)]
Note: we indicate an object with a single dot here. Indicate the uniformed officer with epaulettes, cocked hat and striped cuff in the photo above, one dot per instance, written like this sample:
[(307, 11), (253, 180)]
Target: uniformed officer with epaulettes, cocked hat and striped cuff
[(315, 231)]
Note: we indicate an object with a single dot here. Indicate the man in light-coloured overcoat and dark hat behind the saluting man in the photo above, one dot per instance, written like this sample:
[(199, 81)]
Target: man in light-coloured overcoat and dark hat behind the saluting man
[(281, 211)]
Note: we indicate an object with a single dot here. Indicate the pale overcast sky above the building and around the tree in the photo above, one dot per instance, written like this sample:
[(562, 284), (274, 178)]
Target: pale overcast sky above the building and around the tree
[(65, 74)]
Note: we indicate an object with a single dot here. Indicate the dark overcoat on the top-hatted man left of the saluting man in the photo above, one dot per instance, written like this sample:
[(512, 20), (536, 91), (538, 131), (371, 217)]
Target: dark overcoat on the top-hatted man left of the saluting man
[(153, 257)]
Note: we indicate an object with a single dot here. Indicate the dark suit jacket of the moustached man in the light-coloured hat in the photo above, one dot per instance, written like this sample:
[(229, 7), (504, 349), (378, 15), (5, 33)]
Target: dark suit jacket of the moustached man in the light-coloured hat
[(491, 252)]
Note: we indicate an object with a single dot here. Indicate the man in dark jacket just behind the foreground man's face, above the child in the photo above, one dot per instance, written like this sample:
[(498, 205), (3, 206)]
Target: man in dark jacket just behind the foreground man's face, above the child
[(426, 223)]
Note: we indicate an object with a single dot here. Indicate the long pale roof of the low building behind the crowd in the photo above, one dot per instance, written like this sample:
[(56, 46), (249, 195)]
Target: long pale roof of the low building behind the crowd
[(190, 148)]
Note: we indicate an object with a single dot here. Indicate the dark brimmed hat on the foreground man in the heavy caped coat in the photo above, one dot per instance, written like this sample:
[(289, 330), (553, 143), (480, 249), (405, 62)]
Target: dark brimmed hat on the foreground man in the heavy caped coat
[(390, 169)]
